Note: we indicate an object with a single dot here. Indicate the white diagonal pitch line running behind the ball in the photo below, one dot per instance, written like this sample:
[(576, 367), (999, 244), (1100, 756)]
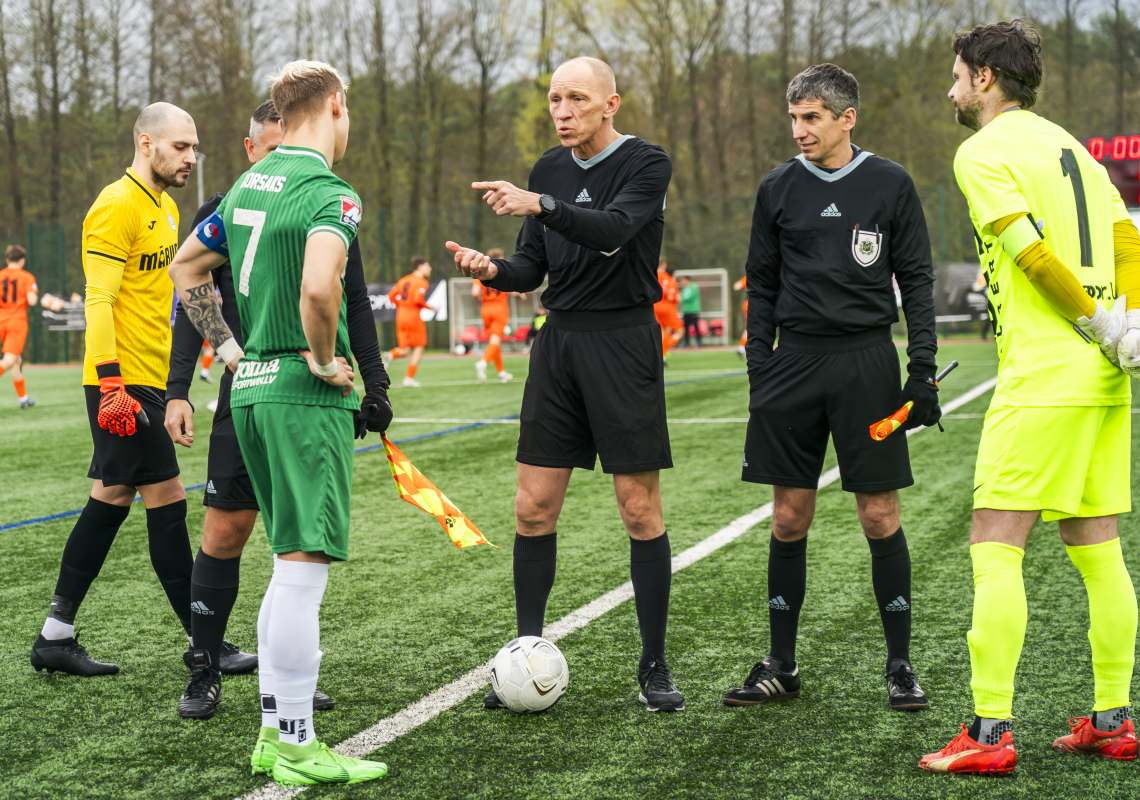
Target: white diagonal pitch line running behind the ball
[(390, 729)]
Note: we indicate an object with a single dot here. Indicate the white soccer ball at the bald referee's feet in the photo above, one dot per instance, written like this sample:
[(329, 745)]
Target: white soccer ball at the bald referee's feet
[(530, 675)]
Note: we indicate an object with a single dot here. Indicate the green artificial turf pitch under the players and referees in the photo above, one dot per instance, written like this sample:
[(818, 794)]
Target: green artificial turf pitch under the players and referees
[(410, 614)]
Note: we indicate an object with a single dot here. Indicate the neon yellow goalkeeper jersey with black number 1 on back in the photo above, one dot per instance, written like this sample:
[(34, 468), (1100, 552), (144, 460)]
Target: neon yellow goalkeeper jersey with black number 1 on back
[(1023, 164)]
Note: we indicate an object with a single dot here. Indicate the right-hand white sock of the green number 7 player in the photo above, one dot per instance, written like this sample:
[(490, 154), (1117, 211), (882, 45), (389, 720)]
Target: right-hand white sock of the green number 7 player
[(295, 644)]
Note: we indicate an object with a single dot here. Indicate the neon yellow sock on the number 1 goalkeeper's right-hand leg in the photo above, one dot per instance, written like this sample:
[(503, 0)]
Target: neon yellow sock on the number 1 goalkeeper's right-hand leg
[(1113, 621)]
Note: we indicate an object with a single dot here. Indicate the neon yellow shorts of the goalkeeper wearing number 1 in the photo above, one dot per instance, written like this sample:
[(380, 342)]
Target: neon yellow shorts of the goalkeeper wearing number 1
[(1064, 462)]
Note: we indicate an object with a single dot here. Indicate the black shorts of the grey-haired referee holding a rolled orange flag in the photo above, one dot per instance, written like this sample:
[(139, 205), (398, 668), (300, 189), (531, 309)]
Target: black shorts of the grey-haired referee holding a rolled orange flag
[(801, 397)]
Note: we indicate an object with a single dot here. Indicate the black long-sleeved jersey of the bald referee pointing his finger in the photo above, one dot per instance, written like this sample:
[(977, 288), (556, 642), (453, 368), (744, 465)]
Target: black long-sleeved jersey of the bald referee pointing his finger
[(601, 244)]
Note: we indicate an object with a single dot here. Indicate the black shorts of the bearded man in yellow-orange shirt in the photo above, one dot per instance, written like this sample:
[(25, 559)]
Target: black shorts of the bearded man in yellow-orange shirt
[(148, 456)]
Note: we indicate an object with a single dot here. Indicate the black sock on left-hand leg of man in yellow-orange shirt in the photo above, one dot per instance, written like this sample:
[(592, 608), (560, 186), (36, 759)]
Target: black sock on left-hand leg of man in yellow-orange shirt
[(87, 549)]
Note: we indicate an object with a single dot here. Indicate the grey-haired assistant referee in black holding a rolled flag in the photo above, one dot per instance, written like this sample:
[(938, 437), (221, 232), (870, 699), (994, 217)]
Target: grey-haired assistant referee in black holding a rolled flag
[(829, 231)]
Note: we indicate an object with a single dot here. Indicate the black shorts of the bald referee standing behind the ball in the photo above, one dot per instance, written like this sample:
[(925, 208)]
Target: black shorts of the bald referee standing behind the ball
[(596, 394)]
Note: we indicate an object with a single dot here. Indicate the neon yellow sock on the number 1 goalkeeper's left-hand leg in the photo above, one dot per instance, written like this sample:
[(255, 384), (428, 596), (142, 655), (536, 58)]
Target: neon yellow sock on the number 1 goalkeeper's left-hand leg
[(1000, 616)]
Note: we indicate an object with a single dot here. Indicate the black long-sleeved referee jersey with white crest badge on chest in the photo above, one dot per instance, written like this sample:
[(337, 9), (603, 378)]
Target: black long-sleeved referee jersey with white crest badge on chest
[(824, 249)]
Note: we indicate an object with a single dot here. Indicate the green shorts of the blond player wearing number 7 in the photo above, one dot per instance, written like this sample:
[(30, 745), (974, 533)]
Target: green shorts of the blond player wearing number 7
[(300, 463)]
